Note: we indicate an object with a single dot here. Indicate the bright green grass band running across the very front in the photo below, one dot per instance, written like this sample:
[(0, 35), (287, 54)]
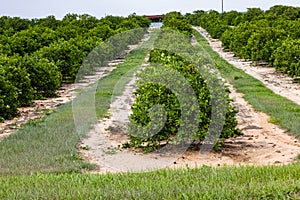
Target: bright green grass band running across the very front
[(270, 182)]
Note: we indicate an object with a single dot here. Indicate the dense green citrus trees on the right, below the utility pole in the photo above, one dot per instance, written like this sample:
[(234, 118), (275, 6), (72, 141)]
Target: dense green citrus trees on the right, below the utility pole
[(270, 36)]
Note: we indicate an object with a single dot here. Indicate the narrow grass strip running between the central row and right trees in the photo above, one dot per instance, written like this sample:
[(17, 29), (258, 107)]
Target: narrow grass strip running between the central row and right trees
[(281, 110)]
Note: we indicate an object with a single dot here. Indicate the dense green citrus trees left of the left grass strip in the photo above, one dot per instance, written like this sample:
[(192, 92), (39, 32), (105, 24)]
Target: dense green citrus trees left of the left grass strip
[(37, 55)]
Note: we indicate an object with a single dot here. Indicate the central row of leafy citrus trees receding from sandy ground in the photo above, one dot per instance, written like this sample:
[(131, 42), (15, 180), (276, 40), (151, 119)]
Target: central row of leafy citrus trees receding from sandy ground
[(178, 98)]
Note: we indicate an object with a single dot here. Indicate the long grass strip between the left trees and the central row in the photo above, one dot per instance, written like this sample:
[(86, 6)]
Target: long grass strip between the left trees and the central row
[(50, 144)]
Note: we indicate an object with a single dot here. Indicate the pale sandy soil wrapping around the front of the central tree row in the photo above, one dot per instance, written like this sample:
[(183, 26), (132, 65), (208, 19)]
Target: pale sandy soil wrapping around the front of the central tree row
[(263, 143)]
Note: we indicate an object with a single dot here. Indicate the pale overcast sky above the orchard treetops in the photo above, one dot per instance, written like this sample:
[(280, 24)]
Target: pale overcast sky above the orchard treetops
[(100, 8)]
